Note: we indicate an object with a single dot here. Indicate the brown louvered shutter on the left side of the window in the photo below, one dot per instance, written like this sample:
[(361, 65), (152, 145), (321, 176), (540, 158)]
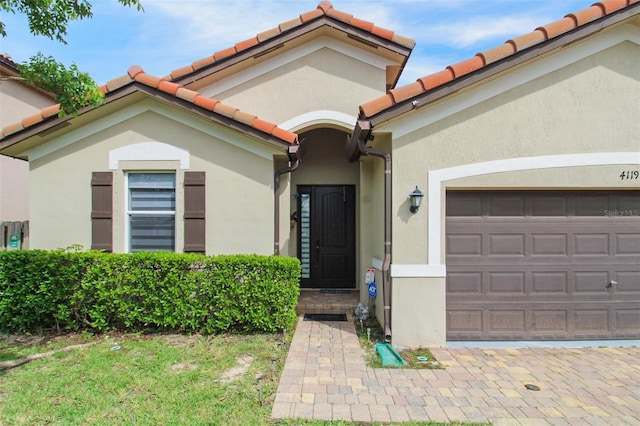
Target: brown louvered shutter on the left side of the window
[(102, 211)]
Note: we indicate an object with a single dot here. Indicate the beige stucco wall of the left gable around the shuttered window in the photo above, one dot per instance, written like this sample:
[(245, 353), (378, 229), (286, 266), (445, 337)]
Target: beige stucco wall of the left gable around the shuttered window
[(238, 185)]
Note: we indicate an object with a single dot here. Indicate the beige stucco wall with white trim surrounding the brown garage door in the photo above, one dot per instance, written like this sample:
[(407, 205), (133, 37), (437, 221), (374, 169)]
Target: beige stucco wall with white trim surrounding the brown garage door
[(568, 124)]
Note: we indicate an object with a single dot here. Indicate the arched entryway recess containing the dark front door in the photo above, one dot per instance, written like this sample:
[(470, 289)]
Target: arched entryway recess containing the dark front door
[(323, 210)]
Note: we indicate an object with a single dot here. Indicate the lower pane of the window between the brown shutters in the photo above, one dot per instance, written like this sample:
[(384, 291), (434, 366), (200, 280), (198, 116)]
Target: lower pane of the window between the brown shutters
[(152, 233)]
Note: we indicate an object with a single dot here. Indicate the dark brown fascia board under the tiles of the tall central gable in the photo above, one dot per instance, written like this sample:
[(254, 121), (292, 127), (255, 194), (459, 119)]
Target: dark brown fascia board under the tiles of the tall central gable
[(277, 41)]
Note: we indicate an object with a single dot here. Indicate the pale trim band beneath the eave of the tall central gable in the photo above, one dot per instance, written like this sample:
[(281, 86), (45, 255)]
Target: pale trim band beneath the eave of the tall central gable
[(291, 56)]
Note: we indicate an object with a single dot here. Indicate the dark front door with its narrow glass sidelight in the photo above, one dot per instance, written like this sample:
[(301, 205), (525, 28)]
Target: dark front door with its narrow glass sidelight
[(326, 236)]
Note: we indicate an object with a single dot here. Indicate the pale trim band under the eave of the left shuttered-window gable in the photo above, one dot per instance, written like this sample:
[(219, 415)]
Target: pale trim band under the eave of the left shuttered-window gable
[(220, 132)]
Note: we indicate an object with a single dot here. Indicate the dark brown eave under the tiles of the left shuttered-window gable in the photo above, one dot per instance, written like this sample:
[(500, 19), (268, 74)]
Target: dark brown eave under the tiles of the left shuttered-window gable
[(55, 123)]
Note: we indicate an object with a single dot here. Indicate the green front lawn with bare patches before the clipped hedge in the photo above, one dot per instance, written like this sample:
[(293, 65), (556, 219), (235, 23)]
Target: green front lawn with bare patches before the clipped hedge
[(129, 379)]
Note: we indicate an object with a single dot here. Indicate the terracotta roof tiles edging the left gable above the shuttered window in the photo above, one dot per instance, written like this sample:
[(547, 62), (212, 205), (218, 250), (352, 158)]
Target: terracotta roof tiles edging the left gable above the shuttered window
[(136, 74)]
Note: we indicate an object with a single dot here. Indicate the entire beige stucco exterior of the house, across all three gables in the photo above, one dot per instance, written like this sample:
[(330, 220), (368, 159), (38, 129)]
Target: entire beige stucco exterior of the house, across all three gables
[(566, 119)]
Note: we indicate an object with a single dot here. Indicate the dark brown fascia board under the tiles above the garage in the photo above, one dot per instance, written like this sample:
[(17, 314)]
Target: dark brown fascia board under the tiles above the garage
[(507, 63)]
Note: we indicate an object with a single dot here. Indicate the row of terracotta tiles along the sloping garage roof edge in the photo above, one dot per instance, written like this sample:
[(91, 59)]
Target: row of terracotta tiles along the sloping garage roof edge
[(510, 47)]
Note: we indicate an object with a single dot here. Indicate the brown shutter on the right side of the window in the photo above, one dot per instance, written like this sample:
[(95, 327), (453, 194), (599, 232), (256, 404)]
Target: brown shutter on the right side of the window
[(194, 212)]
